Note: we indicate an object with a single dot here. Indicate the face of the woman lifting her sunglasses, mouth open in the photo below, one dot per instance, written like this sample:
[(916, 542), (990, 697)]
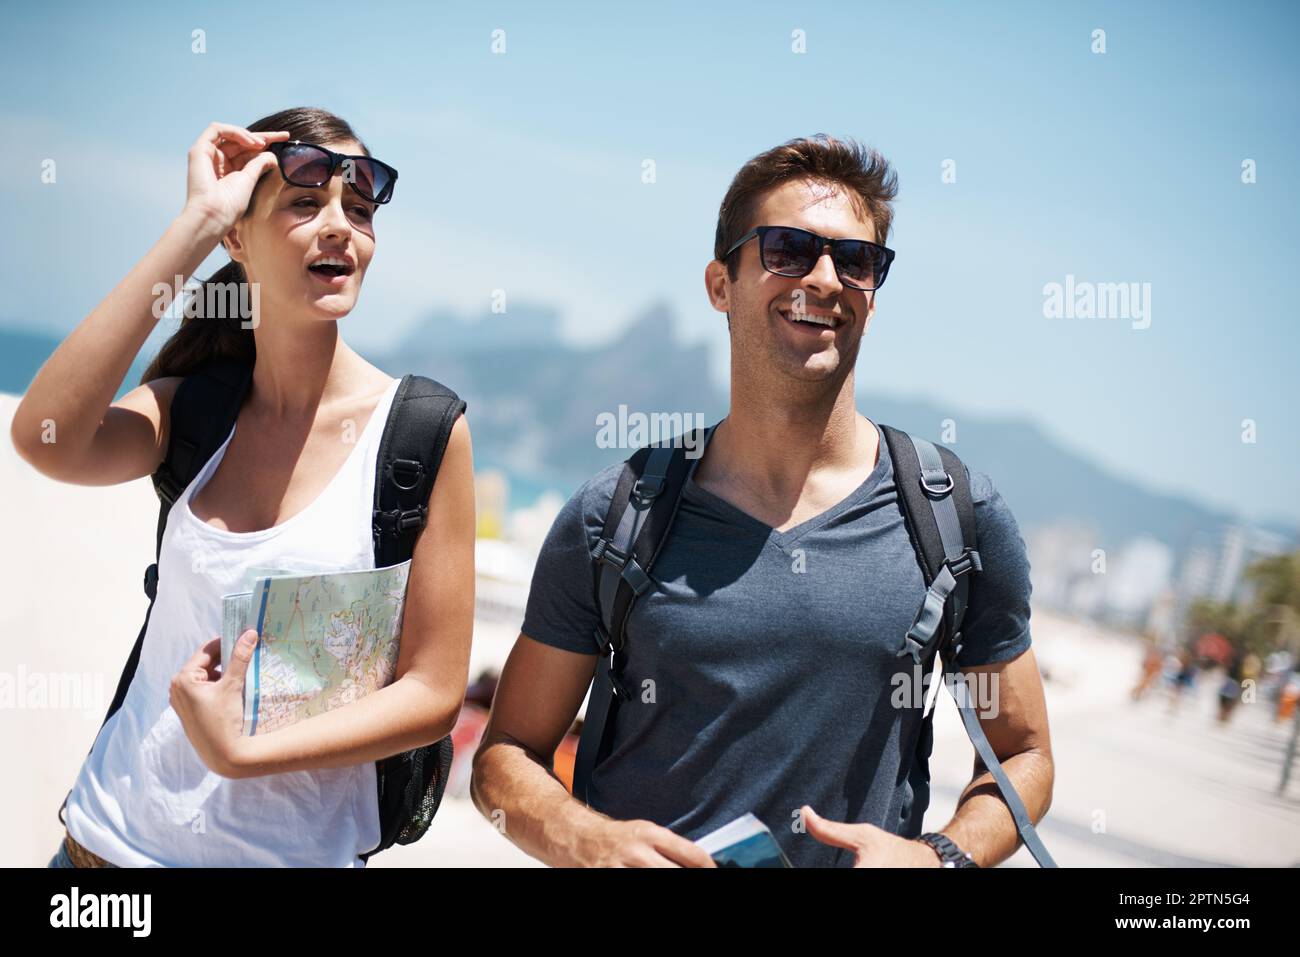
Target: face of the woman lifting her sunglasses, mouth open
[(289, 229)]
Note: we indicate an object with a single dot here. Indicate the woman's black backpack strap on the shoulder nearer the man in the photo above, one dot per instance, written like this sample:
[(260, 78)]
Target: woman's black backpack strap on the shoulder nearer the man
[(415, 440)]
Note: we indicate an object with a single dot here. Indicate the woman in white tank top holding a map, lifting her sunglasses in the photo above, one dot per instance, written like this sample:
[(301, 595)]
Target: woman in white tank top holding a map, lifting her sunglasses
[(171, 780)]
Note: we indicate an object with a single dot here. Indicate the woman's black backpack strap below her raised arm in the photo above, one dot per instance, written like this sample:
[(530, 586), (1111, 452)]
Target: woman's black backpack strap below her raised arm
[(203, 412)]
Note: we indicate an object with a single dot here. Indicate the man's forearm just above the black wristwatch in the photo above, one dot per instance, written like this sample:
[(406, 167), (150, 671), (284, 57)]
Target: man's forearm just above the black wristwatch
[(983, 825)]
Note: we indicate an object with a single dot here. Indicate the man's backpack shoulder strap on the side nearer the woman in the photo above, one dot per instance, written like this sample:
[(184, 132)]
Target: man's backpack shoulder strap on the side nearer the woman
[(636, 527)]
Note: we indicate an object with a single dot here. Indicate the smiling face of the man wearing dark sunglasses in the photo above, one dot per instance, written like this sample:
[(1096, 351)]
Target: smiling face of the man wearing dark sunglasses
[(766, 310)]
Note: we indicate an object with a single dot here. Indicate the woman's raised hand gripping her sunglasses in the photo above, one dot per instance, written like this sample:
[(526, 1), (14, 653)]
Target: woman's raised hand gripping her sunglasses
[(226, 164)]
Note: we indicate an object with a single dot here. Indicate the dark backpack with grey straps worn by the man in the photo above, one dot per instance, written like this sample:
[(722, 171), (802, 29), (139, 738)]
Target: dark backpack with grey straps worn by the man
[(935, 501)]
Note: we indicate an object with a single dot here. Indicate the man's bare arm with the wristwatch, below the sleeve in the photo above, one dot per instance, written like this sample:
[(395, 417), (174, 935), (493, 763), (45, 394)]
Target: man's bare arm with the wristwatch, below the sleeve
[(983, 825)]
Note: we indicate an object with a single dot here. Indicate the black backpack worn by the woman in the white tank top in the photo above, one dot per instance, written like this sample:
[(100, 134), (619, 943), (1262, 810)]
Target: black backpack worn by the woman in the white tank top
[(415, 438)]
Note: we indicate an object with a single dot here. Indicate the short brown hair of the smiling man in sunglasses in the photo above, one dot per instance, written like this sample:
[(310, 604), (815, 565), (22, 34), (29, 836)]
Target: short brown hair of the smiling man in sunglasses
[(863, 174)]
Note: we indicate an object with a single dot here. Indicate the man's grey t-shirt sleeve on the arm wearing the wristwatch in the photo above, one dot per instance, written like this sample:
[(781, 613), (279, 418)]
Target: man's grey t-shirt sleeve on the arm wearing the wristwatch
[(996, 627)]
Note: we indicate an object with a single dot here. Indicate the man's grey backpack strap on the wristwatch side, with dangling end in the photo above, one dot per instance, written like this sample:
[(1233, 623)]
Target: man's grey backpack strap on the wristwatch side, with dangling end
[(935, 500)]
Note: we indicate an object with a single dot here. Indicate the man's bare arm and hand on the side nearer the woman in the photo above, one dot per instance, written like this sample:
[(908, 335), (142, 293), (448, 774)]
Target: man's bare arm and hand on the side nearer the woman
[(515, 786)]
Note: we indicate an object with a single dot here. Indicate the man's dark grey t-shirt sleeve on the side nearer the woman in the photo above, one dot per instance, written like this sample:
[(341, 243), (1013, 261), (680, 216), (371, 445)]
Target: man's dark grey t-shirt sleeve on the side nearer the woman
[(561, 609)]
